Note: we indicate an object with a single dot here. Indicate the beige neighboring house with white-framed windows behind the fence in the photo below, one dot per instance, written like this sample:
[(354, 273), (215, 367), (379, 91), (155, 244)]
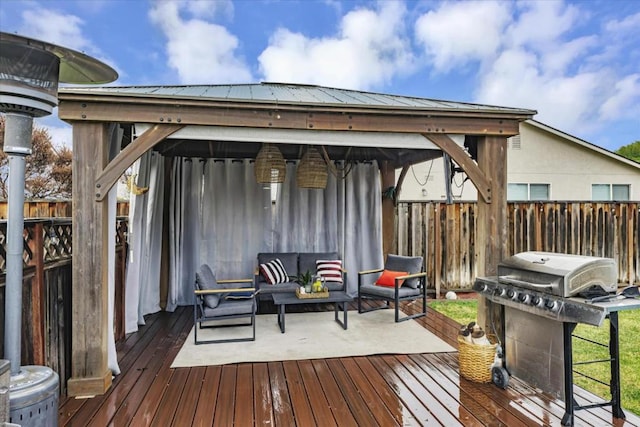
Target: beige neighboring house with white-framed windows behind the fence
[(543, 164)]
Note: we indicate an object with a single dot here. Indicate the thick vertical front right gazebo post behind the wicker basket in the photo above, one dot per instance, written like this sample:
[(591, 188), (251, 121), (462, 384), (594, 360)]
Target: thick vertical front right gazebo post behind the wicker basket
[(491, 242)]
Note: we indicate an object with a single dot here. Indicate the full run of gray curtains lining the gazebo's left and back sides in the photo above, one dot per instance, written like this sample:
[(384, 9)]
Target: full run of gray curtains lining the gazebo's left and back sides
[(219, 215)]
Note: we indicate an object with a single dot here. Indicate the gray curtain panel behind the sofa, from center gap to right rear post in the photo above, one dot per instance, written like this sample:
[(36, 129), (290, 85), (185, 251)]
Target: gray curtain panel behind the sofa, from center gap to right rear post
[(345, 217)]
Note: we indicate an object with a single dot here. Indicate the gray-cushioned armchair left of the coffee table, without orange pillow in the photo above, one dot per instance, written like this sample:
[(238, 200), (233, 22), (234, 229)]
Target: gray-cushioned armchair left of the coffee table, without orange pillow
[(218, 301)]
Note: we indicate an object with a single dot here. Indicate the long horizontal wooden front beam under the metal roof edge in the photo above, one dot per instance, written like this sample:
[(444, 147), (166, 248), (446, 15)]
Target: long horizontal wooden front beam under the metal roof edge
[(276, 117)]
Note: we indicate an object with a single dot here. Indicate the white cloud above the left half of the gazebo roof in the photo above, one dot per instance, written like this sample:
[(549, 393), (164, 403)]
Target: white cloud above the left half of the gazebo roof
[(200, 51)]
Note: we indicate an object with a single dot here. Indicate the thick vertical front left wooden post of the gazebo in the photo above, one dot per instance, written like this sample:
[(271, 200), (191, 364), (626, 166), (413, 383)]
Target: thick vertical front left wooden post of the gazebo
[(90, 374)]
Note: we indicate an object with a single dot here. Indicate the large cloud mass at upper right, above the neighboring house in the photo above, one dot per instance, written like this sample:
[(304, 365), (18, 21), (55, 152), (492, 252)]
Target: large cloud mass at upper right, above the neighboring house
[(529, 54)]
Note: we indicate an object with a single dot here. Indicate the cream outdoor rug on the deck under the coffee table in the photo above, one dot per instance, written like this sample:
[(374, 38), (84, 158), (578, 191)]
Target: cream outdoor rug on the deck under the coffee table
[(313, 335)]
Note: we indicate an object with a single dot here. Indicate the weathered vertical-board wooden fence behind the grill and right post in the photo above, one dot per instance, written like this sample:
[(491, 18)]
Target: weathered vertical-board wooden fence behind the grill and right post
[(445, 235)]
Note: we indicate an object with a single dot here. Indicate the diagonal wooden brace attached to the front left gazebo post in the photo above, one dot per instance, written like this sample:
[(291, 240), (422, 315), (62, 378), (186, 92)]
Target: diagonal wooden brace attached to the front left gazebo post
[(132, 152)]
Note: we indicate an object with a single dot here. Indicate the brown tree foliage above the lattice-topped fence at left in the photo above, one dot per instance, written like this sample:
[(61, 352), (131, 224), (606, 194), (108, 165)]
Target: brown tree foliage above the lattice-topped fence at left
[(47, 169)]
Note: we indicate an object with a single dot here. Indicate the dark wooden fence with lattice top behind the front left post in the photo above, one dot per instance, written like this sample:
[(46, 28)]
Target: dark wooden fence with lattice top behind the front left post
[(46, 292)]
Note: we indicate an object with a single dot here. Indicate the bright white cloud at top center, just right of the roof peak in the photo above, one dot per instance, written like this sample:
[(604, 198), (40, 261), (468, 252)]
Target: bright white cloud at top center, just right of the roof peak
[(370, 49)]
